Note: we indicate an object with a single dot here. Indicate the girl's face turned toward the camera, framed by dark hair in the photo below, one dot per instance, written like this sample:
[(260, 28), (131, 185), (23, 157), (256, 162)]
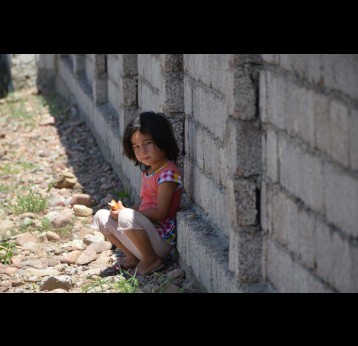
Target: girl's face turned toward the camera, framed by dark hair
[(146, 151)]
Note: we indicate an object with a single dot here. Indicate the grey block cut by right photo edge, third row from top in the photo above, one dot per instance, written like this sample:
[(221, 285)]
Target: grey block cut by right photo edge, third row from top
[(341, 199)]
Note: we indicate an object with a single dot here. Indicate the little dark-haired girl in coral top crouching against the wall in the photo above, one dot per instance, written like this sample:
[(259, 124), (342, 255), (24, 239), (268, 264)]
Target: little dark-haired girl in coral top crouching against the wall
[(147, 232)]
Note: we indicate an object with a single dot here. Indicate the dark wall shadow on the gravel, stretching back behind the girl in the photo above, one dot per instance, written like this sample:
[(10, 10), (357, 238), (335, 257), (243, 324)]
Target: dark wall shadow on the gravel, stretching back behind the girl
[(84, 157)]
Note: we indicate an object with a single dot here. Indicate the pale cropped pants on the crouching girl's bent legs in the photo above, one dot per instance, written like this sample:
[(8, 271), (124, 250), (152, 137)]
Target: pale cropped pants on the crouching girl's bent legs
[(129, 219)]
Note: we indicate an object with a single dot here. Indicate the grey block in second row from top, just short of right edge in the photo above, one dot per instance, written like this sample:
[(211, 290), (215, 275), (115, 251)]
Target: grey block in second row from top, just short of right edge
[(332, 128)]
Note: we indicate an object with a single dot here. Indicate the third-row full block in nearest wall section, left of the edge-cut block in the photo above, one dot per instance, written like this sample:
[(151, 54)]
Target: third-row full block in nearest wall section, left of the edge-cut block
[(301, 173)]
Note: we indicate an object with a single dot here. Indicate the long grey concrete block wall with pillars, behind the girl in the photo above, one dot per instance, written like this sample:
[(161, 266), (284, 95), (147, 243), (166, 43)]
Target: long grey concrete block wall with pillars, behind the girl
[(269, 158)]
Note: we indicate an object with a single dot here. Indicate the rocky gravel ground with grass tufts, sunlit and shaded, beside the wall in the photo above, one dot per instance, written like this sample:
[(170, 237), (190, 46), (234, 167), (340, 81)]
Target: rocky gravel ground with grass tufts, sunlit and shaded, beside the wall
[(53, 179)]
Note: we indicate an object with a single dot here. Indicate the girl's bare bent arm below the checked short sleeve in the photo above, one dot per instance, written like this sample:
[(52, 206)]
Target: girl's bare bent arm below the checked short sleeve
[(165, 197)]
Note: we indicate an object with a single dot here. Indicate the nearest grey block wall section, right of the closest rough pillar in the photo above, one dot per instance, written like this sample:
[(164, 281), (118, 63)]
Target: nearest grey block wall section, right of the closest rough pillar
[(308, 107)]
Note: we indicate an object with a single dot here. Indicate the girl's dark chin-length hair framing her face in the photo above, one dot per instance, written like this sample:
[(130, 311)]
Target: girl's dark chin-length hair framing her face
[(161, 130)]
